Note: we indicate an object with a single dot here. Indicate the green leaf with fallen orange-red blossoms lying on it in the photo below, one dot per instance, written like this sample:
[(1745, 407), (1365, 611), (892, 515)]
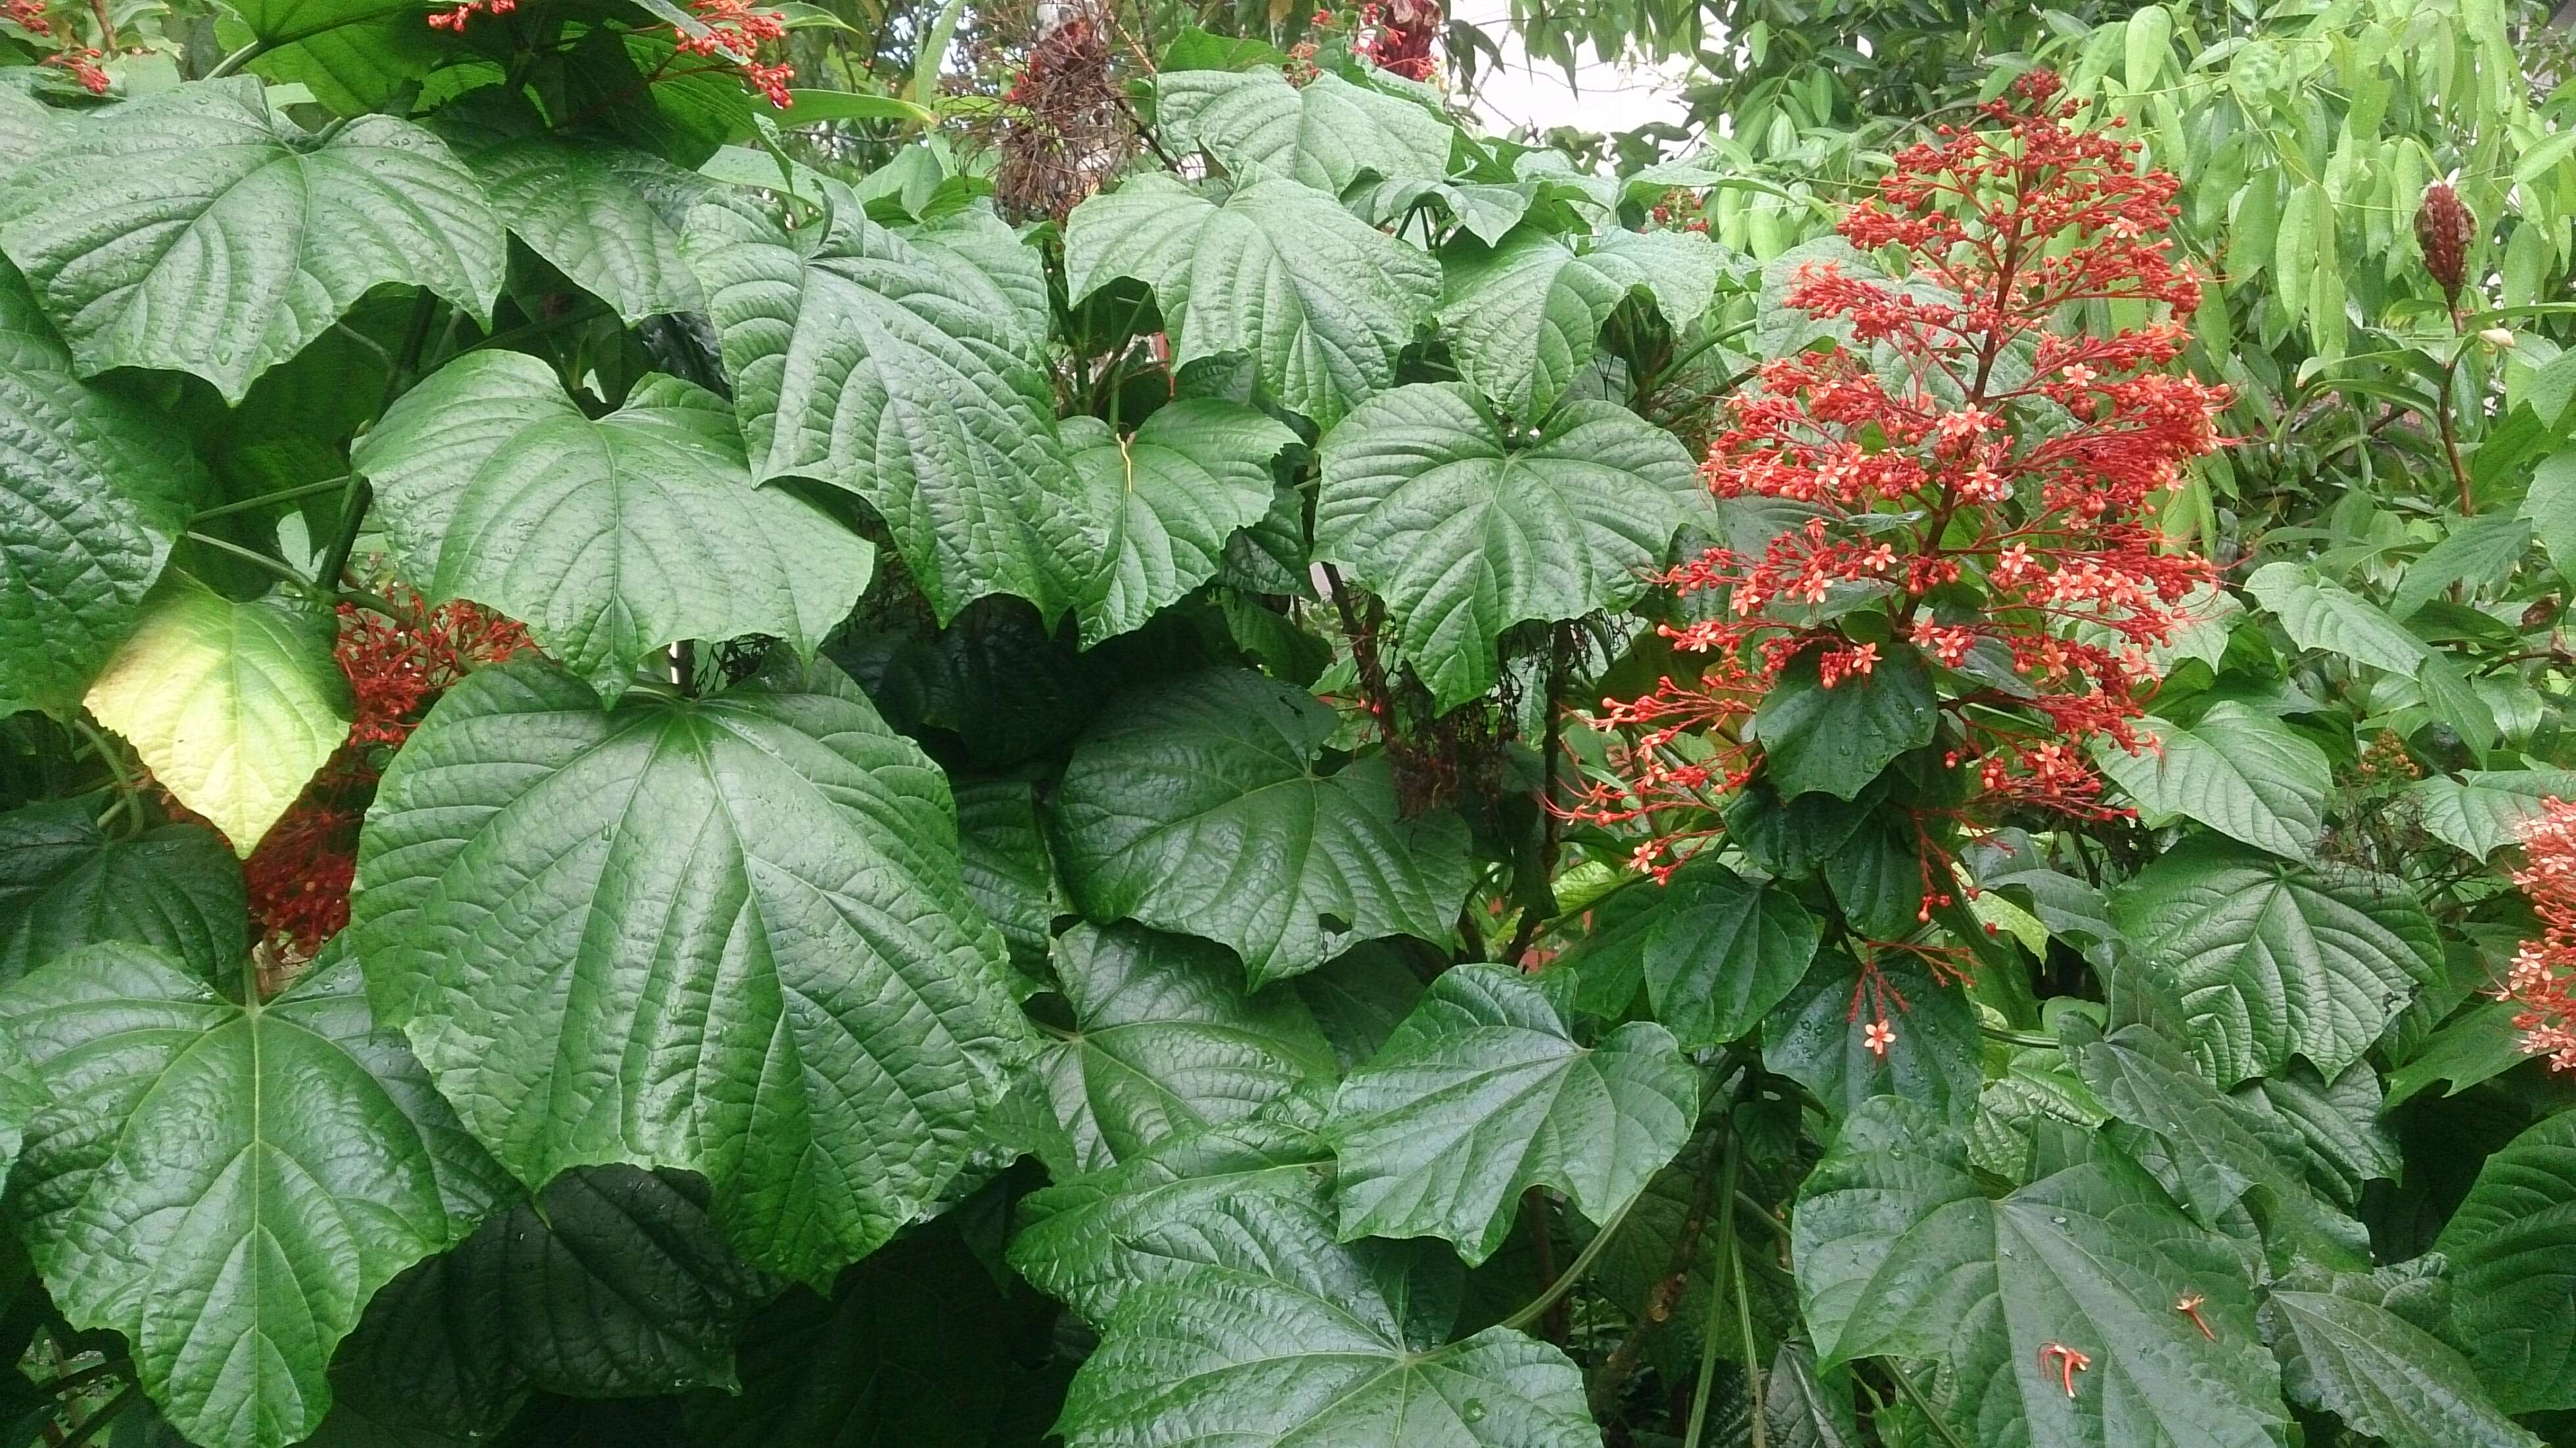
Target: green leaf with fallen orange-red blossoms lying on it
[(1900, 1253)]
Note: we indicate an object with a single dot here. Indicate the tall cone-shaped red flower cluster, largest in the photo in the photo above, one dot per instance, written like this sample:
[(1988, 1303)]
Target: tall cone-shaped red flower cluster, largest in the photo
[(1972, 483)]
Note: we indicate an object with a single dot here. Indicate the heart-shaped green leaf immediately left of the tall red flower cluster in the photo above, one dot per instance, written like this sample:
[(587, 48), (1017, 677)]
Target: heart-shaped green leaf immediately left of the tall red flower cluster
[(1464, 535)]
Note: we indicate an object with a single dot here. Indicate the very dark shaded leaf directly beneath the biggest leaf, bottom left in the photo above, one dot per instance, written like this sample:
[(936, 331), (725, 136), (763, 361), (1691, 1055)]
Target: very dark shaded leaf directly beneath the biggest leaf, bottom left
[(607, 1284)]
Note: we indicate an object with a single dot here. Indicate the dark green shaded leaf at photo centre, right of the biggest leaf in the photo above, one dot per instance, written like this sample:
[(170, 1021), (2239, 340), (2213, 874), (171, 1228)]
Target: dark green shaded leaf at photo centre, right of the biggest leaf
[(1202, 808)]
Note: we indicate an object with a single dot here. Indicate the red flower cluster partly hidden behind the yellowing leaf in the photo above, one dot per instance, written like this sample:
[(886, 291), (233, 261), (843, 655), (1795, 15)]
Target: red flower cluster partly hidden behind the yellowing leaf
[(395, 669)]
